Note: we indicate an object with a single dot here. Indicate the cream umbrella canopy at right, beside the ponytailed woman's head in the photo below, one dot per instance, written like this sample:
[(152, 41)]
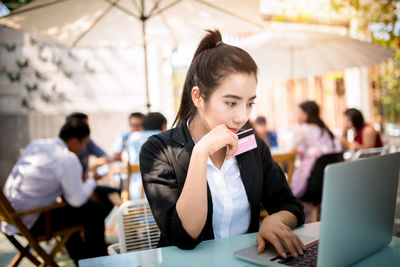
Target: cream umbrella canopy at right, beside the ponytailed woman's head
[(293, 54)]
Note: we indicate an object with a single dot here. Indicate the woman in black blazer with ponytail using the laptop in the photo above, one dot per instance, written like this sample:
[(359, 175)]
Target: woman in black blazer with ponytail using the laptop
[(196, 188)]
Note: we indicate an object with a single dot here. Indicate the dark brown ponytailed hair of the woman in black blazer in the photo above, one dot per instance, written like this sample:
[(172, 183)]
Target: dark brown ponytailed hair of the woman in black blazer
[(212, 62)]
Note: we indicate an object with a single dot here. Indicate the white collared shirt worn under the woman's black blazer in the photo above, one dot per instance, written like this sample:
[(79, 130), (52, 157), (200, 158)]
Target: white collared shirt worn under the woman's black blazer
[(231, 208)]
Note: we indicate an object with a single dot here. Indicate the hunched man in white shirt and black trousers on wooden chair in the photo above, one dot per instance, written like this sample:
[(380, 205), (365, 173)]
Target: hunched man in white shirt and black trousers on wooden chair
[(50, 168)]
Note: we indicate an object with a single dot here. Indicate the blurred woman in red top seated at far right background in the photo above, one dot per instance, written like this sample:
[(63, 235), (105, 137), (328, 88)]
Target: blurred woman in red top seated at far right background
[(365, 135)]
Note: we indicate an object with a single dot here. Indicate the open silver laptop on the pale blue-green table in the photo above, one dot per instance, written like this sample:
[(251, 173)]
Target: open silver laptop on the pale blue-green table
[(358, 206)]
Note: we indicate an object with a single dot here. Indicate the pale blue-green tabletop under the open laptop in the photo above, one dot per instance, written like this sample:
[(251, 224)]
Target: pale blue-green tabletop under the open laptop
[(219, 252)]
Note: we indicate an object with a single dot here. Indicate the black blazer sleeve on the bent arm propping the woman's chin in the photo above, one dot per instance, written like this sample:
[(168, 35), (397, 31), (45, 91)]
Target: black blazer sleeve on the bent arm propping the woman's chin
[(163, 190)]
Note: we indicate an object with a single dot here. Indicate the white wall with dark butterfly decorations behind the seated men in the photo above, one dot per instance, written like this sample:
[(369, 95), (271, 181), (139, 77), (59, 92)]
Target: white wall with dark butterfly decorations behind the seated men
[(105, 83)]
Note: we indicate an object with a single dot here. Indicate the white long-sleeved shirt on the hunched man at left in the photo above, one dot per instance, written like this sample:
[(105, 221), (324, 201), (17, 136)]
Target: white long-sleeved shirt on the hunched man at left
[(45, 171)]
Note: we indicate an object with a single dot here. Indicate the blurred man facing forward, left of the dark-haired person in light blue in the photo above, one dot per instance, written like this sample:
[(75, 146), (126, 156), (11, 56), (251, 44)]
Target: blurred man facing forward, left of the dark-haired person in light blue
[(135, 125)]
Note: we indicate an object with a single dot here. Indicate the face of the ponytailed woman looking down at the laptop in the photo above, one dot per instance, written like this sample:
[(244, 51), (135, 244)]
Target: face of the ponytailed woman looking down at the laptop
[(231, 103)]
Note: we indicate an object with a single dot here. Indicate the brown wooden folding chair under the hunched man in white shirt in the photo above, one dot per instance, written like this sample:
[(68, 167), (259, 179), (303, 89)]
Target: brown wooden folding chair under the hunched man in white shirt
[(8, 214)]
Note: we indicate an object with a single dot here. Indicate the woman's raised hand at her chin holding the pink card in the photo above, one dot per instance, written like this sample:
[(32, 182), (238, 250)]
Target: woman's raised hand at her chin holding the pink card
[(216, 139)]
